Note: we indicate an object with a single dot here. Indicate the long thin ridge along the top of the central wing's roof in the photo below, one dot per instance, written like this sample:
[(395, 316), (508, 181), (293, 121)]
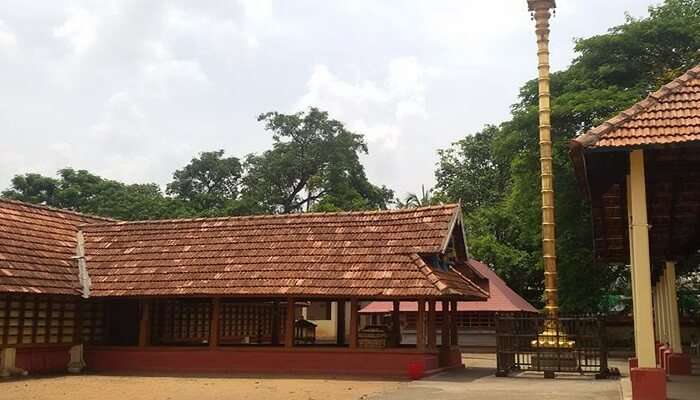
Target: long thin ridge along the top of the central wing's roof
[(281, 216)]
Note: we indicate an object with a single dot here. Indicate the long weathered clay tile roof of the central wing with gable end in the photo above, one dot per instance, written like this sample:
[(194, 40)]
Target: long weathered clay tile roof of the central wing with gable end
[(370, 254)]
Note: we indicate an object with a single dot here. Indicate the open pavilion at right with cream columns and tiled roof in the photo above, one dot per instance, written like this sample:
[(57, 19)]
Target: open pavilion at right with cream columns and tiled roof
[(640, 172)]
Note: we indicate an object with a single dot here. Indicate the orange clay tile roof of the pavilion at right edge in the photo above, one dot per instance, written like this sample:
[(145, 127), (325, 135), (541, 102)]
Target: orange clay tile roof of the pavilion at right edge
[(669, 115)]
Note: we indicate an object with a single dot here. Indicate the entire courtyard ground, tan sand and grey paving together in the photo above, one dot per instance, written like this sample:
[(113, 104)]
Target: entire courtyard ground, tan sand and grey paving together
[(475, 382)]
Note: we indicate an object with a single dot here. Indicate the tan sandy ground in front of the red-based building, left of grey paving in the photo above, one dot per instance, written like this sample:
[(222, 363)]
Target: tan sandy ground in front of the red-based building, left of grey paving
[(95, 387)]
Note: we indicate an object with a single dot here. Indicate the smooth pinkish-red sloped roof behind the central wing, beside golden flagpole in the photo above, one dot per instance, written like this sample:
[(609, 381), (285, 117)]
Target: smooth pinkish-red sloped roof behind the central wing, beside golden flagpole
[(501, 297)]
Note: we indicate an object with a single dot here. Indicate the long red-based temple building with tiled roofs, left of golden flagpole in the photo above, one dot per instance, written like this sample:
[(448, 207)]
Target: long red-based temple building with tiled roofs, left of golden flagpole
[(225, 294)]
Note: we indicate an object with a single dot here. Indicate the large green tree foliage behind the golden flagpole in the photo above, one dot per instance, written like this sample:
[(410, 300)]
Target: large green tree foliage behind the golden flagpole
[(496, 171)]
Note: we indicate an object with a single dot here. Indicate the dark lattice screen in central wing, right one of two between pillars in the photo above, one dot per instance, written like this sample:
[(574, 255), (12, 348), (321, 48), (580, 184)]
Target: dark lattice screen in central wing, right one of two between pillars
[(246, 322)]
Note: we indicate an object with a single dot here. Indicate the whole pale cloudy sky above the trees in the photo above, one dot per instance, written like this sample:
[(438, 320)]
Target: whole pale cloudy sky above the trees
[(132, 90)]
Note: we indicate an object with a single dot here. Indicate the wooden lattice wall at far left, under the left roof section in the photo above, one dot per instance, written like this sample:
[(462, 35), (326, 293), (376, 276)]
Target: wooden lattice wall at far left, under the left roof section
[(37, 319)]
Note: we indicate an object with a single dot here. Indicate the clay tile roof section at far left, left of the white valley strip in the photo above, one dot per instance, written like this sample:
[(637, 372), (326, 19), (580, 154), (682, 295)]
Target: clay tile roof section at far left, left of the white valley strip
[(36, 246)]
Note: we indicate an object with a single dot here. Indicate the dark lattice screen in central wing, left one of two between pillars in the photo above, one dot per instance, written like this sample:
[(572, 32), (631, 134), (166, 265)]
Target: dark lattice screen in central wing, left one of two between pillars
[(181, 321)]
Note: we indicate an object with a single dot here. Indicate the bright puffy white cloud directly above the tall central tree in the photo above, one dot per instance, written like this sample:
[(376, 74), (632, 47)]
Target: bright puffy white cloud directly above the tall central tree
[(375, 109)]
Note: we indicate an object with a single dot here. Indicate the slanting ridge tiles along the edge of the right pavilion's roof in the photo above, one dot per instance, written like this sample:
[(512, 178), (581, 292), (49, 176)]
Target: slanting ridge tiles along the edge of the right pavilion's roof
[(593, 135)]
